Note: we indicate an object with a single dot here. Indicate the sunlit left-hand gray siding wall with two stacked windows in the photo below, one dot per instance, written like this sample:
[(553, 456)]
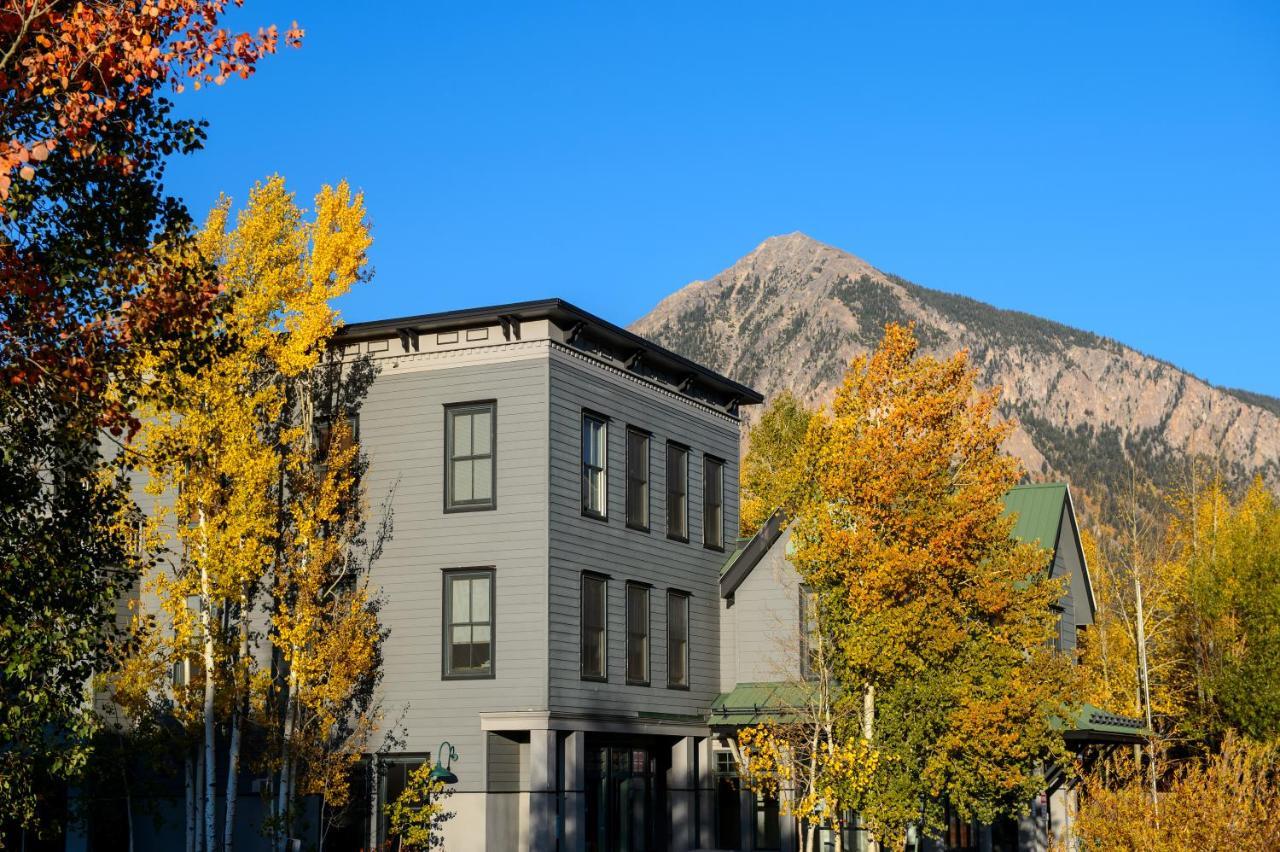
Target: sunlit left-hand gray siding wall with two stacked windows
[(403, 432)]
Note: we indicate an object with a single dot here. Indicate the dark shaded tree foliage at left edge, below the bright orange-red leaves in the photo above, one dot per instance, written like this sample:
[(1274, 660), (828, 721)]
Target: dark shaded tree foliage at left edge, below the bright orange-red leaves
[(75, 248)]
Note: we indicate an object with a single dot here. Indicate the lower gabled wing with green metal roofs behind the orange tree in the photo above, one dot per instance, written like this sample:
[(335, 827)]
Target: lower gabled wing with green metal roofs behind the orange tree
[(764, 635)]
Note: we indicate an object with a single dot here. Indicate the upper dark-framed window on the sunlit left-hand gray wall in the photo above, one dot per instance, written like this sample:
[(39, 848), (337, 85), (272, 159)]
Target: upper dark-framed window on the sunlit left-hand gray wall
[(470, 477)]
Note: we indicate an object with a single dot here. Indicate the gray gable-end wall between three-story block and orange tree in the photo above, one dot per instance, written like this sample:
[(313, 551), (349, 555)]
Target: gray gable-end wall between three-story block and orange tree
[(765, 622)]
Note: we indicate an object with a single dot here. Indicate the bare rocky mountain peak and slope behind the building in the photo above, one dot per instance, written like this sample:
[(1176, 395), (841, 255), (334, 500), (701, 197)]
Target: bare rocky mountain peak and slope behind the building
[(796, 312)]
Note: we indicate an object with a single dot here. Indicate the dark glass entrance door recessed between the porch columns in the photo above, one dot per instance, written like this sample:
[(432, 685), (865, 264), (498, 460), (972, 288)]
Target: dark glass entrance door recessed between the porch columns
[(621, 800)]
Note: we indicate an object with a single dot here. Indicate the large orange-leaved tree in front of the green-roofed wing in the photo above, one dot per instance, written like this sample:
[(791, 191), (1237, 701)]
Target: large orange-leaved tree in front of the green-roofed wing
[(940, 625)]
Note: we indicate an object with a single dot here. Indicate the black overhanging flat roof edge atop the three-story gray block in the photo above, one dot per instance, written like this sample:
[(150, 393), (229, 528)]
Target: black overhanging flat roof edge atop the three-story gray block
[(554, 310)]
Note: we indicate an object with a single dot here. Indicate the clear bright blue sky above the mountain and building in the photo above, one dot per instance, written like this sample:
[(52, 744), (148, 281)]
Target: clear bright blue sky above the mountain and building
[(1113, 166)]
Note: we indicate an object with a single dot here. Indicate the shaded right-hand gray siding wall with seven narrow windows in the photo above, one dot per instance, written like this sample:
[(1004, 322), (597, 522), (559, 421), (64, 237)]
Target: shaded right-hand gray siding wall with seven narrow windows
[(584, 544)]
